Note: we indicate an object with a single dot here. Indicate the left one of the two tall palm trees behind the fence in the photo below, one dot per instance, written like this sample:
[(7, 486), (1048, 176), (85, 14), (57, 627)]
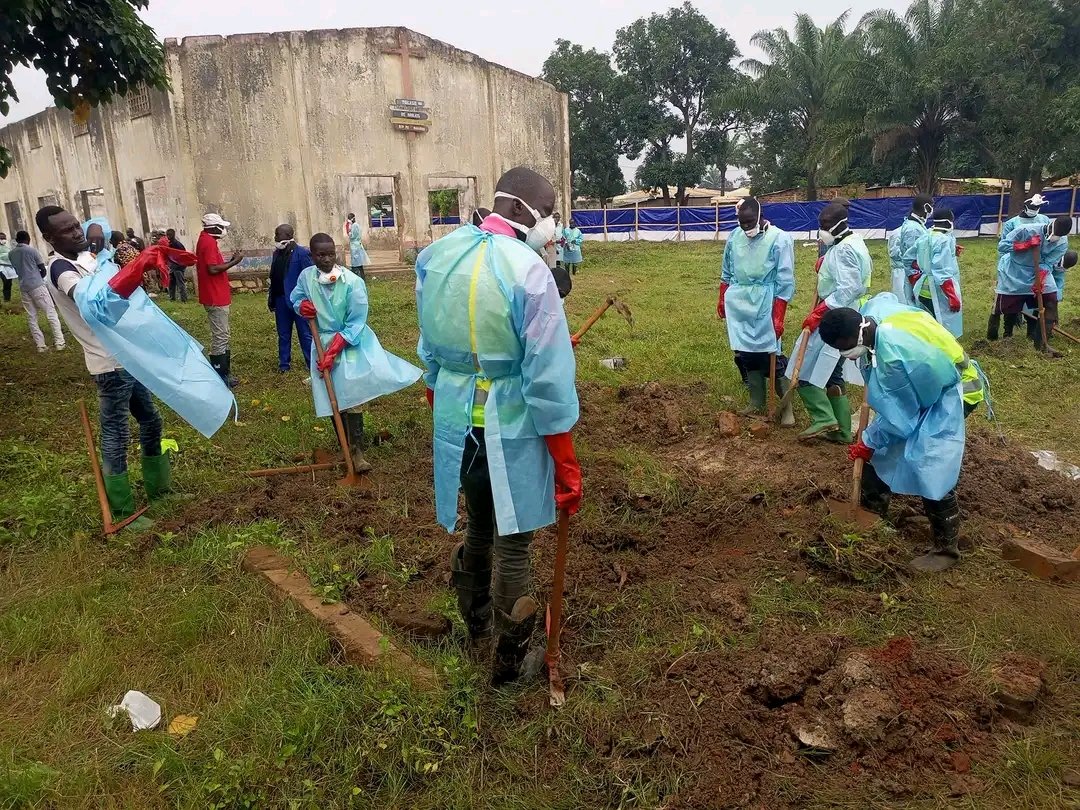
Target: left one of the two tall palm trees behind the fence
[(802, 82)]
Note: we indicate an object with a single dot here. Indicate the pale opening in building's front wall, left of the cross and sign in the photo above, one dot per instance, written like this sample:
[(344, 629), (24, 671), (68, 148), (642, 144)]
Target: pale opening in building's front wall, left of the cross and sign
[(376, 201)]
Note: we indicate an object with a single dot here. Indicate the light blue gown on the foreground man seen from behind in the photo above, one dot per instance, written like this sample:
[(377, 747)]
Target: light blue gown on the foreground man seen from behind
[(491, 318)]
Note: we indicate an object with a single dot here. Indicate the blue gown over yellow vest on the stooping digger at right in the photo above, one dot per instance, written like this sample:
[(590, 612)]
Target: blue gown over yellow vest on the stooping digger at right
[(915, 390)]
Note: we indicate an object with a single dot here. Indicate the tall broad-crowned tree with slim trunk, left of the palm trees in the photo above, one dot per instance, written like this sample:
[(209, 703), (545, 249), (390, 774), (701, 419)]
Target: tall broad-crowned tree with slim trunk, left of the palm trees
[(678, 62)]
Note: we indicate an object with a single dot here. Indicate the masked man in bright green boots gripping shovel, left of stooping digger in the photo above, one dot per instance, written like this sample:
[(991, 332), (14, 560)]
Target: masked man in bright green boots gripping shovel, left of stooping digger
[(844, 279)]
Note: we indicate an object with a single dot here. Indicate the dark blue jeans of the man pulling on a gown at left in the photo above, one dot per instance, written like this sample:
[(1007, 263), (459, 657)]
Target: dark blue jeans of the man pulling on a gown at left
[(120, 395)]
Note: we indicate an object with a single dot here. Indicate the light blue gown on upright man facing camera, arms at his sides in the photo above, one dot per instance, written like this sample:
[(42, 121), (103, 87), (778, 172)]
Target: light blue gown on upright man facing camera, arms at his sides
[(758, 271)]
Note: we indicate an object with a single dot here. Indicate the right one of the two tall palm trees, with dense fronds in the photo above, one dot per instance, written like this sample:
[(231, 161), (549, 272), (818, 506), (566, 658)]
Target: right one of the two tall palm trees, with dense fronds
[(910, 84)]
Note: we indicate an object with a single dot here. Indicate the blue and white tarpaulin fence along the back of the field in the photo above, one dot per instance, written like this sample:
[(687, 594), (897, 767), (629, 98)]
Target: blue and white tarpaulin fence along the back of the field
[(976, 215)]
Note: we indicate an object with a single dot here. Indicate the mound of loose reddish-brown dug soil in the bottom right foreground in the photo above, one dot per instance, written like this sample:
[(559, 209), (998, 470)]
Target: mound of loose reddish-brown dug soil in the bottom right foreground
[(800, 717)]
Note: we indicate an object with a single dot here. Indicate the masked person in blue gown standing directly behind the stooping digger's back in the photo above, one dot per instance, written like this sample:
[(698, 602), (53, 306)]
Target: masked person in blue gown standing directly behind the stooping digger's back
[(937, 285)]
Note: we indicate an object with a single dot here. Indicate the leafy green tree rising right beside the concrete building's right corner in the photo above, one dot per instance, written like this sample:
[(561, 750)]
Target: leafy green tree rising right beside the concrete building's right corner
[(599, 133)]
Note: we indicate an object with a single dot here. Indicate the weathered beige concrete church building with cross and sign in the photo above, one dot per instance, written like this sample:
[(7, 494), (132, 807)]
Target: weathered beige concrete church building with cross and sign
[(302, 128)]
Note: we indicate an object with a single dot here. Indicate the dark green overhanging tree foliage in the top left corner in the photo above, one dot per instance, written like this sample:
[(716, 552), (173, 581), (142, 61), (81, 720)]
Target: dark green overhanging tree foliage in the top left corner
[(90, 51)]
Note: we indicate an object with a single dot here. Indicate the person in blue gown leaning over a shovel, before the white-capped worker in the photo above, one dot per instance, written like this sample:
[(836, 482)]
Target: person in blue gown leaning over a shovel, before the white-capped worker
[(1020, 280)]
